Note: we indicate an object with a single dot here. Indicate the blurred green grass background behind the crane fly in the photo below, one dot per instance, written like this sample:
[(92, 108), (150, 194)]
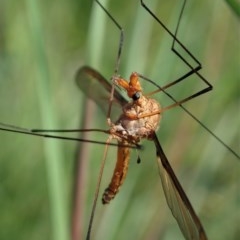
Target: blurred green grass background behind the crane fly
[(42, 44)]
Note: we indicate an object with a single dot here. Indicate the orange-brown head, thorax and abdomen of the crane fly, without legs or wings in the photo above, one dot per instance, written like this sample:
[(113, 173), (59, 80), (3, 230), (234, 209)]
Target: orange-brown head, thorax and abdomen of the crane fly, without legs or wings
[(140, 119)]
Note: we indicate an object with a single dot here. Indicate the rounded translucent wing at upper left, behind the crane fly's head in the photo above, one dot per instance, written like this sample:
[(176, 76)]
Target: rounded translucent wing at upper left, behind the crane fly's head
[(97, 88)]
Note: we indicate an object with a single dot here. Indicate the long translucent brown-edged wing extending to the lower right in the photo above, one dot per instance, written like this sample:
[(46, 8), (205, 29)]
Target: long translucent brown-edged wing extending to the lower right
[(177, 200)]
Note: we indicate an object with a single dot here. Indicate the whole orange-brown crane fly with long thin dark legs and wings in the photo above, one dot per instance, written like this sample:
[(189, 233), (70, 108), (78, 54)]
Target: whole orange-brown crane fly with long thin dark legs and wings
[(139, 119)]
